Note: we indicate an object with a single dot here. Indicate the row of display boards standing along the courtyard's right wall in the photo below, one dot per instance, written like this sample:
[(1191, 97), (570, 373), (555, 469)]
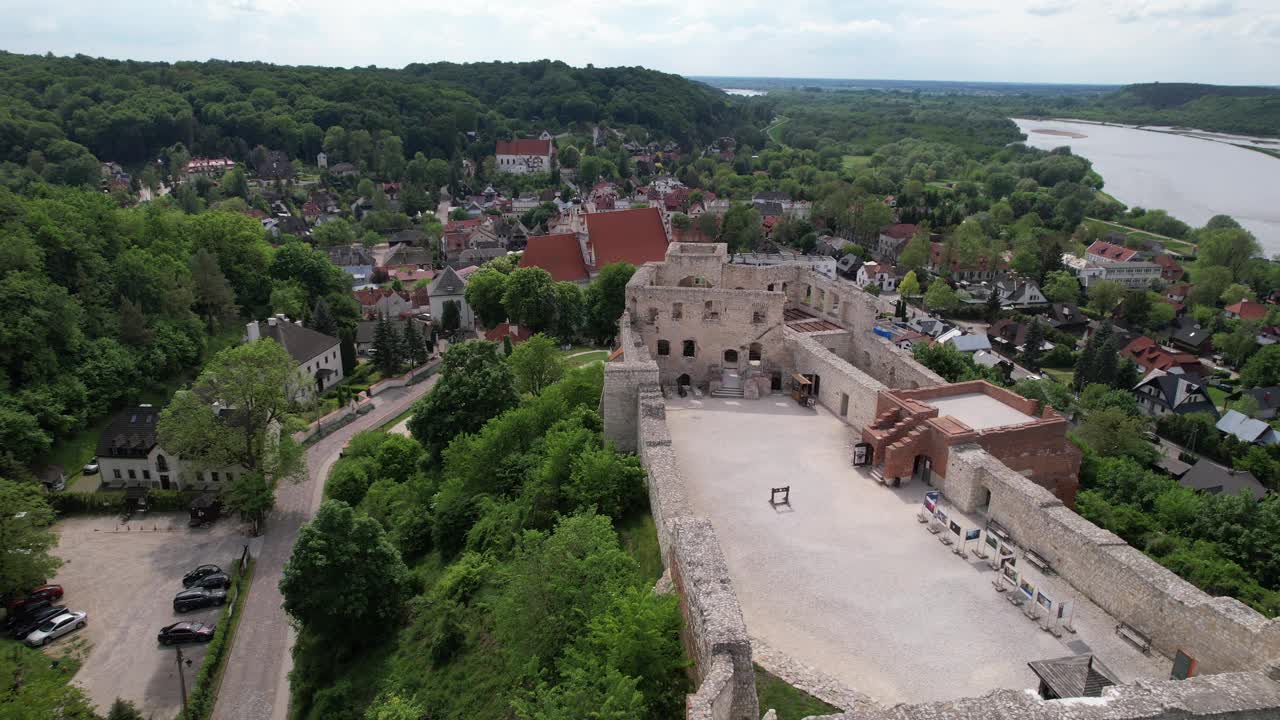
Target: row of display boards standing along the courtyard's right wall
[(1053, 614)]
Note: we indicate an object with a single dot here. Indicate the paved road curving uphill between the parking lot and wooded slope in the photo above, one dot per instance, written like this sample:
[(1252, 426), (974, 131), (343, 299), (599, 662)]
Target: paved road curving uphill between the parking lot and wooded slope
[(257, 682)]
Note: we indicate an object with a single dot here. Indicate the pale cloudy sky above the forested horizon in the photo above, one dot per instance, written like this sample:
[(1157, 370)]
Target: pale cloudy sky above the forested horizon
[(1085, 42)]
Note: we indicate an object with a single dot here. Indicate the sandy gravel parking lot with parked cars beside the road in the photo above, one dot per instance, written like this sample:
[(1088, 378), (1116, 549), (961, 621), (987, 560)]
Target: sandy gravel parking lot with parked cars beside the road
[(126, 577)]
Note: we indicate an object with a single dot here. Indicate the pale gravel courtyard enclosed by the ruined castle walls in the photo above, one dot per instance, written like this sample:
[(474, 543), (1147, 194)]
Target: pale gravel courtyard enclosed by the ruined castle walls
[(845, 580)]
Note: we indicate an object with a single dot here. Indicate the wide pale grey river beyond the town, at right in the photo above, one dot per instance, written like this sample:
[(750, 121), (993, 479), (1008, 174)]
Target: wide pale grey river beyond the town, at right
[(1194, 179)]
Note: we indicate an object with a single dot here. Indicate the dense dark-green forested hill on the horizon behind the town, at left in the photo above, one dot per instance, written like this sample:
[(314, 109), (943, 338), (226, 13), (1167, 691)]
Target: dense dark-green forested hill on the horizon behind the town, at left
[(70, 108)]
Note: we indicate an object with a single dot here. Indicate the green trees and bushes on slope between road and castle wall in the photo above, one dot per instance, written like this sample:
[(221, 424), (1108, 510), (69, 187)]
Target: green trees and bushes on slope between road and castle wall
[(505, 575)]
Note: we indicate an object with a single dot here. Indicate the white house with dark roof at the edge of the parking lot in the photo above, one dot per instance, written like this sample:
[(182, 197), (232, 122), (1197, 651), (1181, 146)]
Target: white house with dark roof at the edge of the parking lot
[(130, 457)]
